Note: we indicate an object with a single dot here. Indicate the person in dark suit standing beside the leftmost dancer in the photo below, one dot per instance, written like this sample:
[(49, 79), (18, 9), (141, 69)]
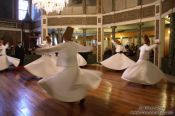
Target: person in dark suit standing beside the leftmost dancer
[(20, 53)]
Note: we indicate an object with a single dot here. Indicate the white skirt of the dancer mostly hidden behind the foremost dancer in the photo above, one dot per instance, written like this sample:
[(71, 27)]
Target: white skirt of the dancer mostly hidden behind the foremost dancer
[(45, 62)]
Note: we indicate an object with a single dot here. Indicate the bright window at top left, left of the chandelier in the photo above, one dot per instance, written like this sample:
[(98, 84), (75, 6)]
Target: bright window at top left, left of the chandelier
[(22, 8)]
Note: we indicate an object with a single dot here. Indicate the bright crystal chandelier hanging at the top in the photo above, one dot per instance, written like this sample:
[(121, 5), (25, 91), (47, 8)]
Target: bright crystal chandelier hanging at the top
[(50, 5)]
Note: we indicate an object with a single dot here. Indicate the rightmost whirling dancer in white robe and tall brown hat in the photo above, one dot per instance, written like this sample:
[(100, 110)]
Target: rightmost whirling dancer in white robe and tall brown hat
[(144, 72)]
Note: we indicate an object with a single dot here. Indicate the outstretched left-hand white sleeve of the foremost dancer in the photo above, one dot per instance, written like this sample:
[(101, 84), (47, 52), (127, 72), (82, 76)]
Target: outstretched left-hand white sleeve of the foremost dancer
[(49, 49)]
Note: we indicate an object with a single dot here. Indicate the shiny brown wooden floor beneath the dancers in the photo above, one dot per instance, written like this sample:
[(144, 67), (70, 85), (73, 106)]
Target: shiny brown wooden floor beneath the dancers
[(21, 96)]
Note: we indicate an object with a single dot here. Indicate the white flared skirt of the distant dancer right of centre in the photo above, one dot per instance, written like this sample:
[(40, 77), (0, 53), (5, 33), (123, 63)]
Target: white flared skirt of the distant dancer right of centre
[(118, 62)]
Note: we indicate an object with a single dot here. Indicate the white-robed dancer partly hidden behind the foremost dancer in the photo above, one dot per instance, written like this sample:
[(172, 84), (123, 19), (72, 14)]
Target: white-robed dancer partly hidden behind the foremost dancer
[(48, 60)]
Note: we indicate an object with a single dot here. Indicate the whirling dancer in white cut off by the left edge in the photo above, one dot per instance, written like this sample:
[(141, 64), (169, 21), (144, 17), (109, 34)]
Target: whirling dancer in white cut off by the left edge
[(6, 61)]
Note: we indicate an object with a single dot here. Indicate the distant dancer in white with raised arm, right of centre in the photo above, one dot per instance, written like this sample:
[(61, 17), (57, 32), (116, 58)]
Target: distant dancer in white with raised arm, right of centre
[(118, 61)]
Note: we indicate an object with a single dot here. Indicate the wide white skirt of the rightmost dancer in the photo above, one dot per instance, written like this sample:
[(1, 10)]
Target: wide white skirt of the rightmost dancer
[(143, 72)]
